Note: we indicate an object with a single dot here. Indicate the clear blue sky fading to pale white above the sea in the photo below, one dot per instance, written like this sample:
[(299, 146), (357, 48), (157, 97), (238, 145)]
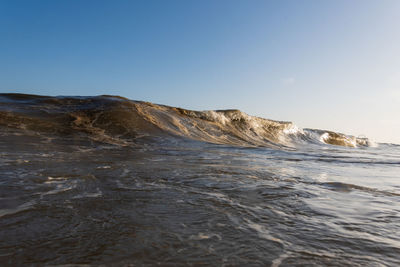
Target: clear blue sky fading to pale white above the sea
[(331, 65)]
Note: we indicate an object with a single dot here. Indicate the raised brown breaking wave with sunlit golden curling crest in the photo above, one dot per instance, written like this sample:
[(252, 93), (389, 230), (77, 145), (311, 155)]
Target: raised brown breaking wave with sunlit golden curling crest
[(117, 120)]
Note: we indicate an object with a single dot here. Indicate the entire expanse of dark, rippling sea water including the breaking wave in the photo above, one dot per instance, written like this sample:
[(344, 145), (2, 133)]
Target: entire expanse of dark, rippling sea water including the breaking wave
[(109, 181)]
